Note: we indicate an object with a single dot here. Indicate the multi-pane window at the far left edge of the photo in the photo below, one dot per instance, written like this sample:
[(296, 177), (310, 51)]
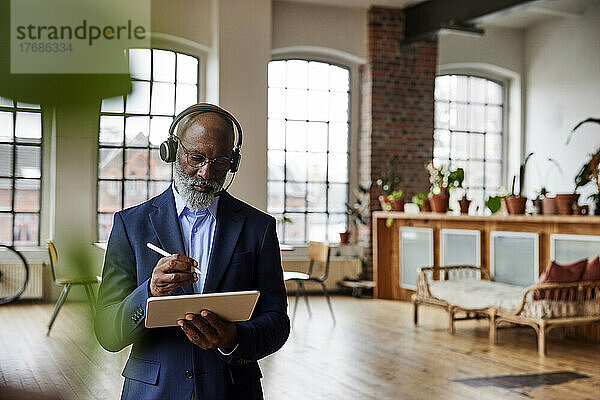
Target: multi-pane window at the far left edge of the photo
[(20, 172)]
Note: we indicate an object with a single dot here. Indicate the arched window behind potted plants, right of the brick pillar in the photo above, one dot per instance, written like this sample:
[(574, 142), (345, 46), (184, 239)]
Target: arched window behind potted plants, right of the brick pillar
[(469, 126)]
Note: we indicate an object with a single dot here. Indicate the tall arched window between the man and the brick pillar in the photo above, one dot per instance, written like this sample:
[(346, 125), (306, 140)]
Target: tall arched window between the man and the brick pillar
[(308, 148)]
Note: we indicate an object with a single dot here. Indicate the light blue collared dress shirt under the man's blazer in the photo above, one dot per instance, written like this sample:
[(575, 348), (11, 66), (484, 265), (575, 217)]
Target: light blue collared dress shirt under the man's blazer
[(198, 231)]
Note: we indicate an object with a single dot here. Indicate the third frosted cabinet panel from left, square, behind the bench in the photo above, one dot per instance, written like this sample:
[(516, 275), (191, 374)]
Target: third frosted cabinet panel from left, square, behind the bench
[(514, 257)]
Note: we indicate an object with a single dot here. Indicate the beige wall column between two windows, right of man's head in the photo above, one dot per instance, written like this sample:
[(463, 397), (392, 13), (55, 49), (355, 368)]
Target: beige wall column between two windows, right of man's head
[(244, 50)]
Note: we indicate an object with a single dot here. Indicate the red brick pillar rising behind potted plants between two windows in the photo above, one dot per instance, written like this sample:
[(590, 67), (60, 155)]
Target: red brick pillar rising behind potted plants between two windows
[(397, 106)]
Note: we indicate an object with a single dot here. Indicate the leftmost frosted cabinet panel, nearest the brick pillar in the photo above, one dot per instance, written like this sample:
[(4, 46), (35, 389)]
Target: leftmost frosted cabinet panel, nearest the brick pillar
[(416, 251)]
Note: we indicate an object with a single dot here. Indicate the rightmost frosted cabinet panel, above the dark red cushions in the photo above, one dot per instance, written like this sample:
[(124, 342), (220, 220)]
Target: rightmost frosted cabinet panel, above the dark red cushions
[(569, 248)]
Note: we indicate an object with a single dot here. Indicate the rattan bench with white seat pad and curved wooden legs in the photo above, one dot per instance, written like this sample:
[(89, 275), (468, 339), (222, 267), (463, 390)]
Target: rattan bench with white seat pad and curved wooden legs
[(467, 291)]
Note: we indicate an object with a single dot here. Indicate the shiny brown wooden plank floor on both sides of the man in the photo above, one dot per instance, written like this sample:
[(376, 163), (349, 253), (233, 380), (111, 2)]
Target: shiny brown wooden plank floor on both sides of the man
[(373, 352)]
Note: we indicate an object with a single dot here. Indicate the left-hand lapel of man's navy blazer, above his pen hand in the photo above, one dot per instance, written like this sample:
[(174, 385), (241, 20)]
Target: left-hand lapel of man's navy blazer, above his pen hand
[(166, 227)]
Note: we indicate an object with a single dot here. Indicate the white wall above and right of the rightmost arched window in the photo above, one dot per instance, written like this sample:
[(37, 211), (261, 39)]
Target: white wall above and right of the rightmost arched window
[(499, 54)]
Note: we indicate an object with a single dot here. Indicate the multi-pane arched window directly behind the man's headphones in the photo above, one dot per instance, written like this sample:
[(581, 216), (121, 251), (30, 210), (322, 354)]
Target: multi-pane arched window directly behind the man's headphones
[(131, 129)]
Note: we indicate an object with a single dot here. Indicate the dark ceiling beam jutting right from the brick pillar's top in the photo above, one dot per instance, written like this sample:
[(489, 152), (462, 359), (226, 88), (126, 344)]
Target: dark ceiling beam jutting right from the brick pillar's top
[(426, 18)]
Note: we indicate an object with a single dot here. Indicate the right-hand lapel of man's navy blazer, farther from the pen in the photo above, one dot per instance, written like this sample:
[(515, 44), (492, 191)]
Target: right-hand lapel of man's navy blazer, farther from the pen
[(230, 221)]
